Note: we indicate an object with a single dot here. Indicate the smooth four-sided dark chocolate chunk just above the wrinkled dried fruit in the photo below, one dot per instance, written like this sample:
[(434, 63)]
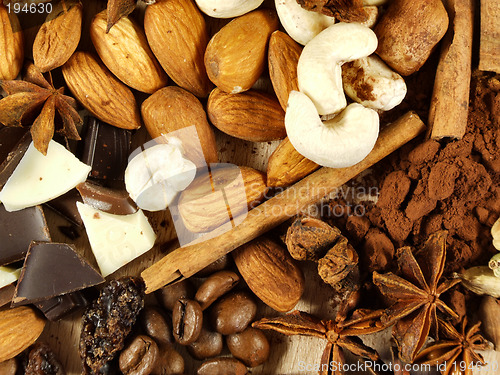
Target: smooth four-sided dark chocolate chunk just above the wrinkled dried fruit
[(52, 269)]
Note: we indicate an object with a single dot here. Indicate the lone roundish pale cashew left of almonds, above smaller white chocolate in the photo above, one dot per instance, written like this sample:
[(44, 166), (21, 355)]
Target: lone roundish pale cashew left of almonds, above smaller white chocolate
[(155, 176)]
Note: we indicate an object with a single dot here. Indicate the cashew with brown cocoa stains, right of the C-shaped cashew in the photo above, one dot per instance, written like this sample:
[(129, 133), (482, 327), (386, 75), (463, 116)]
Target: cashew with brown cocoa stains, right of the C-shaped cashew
[(369, 81)]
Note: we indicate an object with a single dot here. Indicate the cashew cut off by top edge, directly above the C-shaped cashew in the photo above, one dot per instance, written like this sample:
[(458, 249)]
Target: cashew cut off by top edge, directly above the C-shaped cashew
[(302, 25)]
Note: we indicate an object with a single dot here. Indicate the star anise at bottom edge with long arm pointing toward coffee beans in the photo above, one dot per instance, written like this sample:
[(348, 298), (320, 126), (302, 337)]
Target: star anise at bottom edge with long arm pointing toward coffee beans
[(340, 334)]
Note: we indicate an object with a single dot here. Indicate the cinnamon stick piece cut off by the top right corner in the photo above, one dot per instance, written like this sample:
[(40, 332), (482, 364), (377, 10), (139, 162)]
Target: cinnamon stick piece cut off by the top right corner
[(489, 50)]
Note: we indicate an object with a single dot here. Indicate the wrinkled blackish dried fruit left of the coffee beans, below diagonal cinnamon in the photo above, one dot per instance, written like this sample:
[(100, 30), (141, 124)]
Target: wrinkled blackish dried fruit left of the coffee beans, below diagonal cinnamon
[(108, 321)]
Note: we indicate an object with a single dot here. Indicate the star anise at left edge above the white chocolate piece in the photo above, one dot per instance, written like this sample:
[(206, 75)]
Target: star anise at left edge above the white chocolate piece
[(35, 96)]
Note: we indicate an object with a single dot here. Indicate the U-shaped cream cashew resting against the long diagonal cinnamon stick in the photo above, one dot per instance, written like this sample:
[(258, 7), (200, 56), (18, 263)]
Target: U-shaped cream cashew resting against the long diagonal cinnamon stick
[(341, 142)]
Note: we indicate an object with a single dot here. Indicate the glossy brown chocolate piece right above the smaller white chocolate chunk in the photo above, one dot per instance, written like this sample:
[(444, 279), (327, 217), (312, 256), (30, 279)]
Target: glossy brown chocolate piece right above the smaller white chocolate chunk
[(113, 201)]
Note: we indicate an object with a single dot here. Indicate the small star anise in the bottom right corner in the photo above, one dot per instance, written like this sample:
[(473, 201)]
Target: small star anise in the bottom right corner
[(458, 352)]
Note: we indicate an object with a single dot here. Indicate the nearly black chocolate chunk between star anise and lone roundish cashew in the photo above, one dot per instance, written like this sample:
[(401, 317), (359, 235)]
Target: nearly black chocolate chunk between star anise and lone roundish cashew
[(106, 149)]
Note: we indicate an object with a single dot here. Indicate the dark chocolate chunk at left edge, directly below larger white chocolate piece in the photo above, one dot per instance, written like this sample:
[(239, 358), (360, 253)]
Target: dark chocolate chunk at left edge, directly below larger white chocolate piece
[(18, 229)]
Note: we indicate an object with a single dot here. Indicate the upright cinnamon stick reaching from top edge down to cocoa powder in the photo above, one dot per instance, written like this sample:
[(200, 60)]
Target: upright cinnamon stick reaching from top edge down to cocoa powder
[(450, 99)]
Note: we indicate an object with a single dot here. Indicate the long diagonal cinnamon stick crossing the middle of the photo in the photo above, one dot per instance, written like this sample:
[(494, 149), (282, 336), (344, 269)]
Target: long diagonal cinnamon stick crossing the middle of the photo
[(186, 261)]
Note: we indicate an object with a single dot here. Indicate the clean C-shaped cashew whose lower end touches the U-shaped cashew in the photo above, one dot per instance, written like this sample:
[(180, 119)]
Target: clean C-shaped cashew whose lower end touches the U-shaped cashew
[(319, 69)]
